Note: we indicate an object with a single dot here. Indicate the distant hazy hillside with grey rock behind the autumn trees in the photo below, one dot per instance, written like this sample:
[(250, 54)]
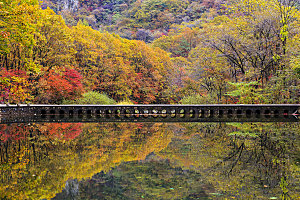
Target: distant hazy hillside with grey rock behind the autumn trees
[(142, 20)]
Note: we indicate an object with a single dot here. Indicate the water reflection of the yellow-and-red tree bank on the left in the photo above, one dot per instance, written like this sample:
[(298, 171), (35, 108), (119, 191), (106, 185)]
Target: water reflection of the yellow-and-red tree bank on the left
[(47, 155)]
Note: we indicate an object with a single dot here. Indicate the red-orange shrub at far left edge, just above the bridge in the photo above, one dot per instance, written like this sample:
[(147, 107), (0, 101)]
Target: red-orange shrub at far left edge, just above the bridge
[(14, 86)]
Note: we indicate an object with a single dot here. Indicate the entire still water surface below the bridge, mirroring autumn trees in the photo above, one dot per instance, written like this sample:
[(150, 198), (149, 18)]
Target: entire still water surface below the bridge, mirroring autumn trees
[(150, 161)]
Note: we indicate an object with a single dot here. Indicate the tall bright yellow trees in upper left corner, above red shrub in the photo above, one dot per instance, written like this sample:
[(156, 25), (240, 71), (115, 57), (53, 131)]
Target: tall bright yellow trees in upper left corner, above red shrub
[(17, 33)]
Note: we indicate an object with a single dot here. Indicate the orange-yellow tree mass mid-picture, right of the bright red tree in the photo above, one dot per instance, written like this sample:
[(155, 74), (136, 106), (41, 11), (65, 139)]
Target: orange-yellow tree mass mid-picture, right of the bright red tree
[(121, 68)]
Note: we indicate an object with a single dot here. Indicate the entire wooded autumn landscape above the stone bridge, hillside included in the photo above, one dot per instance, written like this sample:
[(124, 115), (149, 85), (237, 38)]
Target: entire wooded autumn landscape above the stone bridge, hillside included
[(196, 51)]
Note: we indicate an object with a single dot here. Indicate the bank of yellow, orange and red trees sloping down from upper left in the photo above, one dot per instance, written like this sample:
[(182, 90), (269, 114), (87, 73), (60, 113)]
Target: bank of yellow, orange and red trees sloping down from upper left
[(42, 60)]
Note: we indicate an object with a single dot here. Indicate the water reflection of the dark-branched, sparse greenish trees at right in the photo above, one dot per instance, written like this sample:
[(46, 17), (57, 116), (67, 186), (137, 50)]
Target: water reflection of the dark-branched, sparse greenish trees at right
[(267, 152)]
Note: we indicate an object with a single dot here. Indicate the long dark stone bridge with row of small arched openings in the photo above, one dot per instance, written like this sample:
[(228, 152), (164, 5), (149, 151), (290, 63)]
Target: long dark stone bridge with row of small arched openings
[(150, 113)]
